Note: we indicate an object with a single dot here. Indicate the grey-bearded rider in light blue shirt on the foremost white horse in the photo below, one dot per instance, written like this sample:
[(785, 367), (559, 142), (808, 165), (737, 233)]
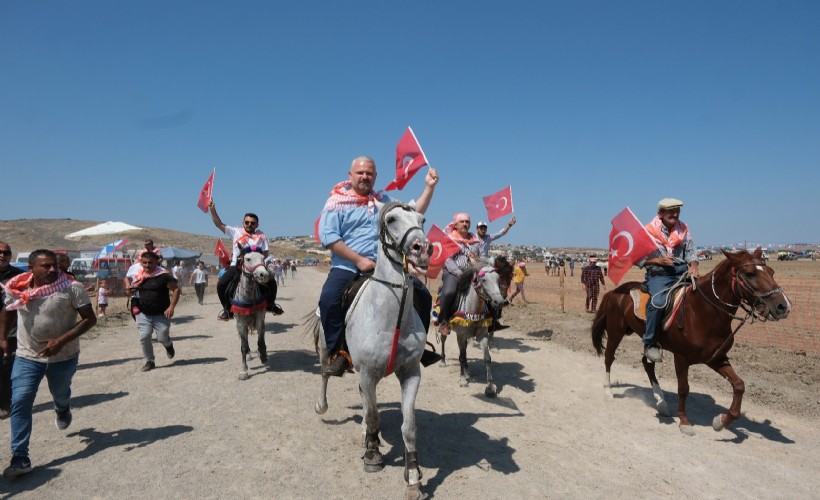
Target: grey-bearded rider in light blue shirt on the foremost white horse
[(349, 227)]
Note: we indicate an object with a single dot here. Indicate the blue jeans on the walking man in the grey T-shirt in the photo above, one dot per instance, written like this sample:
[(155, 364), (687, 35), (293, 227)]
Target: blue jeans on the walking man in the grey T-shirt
[(25, 379)]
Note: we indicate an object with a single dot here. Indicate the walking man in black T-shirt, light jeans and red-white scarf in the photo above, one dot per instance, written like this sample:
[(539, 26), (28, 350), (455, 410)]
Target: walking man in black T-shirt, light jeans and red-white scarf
[(156, 306)]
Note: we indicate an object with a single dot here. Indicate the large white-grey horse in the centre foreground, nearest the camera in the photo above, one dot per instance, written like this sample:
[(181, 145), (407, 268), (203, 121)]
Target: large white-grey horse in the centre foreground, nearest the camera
[(385, 334)]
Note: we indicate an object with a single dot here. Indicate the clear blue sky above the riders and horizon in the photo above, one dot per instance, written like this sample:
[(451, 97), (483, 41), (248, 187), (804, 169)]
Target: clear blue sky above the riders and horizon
[(119, 111)]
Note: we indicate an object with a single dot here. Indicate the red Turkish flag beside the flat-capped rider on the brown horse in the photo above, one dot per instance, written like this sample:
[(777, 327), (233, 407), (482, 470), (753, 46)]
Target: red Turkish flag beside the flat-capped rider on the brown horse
[(629, 242)]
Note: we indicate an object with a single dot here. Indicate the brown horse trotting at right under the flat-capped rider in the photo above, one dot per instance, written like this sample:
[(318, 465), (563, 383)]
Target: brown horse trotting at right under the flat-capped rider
[(702, 332)]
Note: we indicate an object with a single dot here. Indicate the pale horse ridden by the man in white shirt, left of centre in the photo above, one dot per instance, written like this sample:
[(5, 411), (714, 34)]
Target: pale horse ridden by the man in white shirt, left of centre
[(249, 303)]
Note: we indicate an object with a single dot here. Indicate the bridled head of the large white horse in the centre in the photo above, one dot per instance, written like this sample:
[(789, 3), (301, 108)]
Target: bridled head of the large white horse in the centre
[(401, 235)]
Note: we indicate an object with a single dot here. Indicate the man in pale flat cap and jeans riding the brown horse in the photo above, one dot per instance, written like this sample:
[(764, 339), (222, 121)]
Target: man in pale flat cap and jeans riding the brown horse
[(675, 257)]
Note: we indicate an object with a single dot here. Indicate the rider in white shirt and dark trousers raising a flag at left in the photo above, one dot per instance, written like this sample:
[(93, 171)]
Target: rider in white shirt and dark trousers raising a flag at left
[(248, 234)]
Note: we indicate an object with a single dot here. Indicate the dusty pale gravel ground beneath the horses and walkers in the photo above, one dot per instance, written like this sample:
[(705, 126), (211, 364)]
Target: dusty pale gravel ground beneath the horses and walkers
[(190, 428)]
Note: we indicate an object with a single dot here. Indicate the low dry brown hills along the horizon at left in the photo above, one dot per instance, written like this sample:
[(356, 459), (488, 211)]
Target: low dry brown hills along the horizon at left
[(25, 235)]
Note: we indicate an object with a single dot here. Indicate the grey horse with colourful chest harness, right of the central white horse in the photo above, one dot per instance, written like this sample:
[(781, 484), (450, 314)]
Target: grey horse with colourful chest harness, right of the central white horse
[(478, 287)]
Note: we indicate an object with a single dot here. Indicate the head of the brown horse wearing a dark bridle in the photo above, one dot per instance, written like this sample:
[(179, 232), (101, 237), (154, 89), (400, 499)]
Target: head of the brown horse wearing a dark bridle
[(753, 283)]
